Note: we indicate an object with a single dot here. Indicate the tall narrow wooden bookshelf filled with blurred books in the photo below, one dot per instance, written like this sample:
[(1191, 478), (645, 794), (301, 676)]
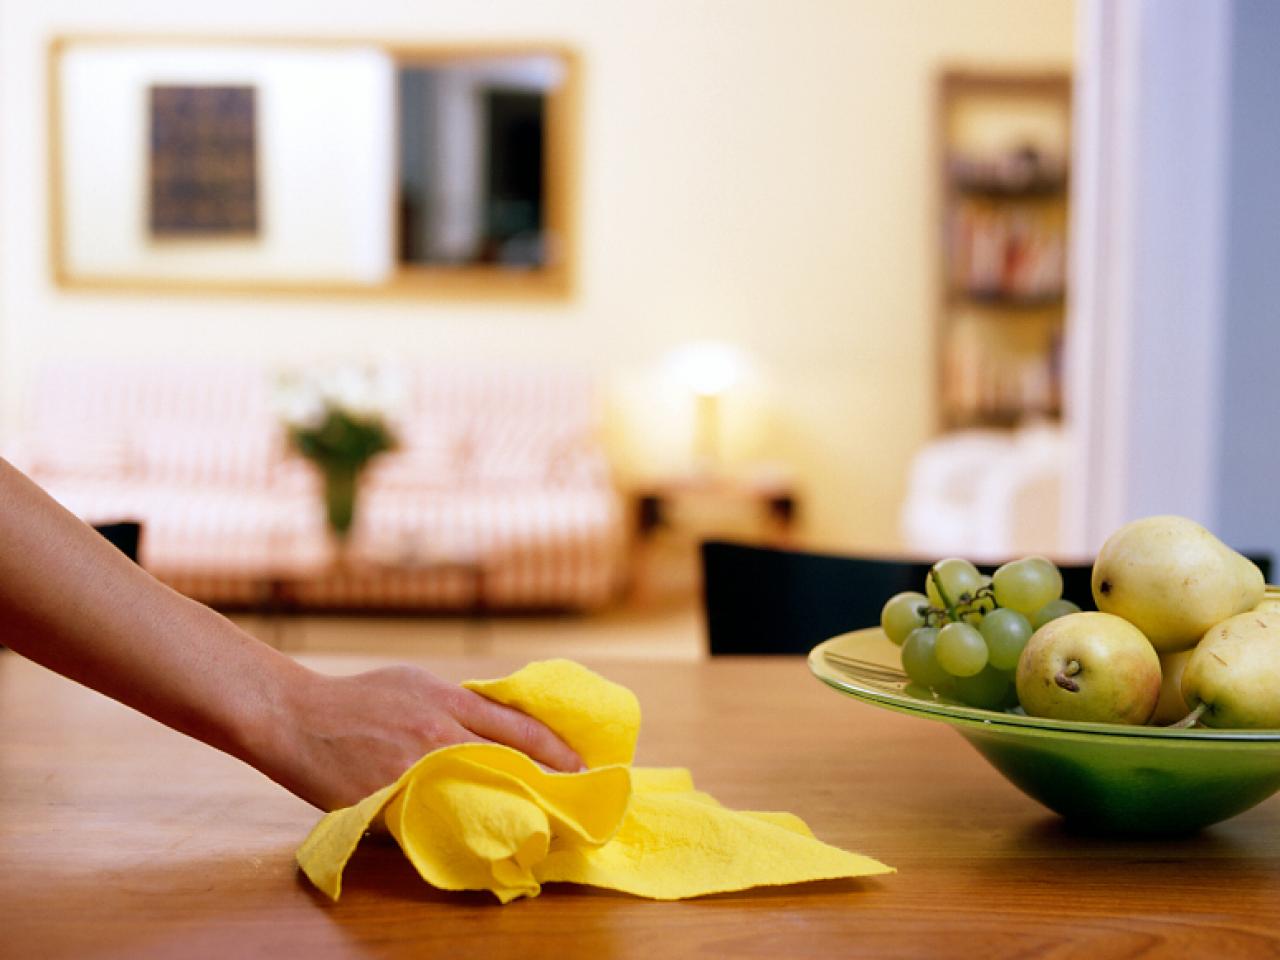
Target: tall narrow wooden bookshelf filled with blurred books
[(1003, 161)]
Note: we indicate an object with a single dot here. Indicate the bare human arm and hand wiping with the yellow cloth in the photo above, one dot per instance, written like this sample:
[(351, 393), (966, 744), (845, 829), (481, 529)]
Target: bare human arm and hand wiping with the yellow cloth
[(74, 604)]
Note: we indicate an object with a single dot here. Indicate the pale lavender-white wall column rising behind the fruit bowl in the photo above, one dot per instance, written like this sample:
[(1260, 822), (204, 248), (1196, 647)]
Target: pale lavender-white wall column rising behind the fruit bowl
[(1149, 250)]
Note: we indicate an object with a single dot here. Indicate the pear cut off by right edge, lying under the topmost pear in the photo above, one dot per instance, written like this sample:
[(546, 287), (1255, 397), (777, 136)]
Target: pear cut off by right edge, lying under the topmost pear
[(1233, 676)]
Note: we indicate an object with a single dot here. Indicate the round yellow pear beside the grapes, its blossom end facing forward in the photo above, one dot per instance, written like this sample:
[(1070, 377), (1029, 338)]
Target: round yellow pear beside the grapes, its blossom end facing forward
[(1090, 668)]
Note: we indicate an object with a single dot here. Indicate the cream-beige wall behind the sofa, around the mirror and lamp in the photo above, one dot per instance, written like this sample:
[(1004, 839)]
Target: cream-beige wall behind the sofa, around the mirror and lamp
[(755, 171)]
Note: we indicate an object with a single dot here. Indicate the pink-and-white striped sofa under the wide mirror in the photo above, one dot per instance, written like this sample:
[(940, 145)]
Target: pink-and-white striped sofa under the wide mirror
[(499, 496)]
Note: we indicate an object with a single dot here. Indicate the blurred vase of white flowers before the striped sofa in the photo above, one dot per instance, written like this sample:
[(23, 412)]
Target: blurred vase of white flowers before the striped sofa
[(340, 422)]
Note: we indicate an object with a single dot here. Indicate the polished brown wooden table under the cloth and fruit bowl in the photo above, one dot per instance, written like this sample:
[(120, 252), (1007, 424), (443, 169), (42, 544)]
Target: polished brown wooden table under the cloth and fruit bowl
[(120, 838)]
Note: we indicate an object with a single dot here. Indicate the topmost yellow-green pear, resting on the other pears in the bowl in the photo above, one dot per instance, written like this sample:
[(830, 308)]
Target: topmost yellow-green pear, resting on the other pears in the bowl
[(1173, 580)]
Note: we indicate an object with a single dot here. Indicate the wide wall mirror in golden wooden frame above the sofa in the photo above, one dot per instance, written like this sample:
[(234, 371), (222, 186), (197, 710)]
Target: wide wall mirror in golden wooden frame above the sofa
[(313, 167)]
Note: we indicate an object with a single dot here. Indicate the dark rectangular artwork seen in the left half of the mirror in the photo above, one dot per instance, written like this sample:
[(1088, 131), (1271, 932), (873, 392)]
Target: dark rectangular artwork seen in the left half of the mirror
[(203, 162)]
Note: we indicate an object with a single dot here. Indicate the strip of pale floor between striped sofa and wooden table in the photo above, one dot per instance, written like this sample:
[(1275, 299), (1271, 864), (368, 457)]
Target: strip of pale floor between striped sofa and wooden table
[(666, 632)]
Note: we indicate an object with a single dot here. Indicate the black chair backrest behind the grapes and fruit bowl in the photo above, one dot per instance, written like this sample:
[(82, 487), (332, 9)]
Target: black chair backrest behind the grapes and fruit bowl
[(767, 601)]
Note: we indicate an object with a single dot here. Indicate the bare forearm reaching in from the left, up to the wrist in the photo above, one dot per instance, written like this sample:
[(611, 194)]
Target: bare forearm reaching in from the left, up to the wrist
[(72, 602)]
